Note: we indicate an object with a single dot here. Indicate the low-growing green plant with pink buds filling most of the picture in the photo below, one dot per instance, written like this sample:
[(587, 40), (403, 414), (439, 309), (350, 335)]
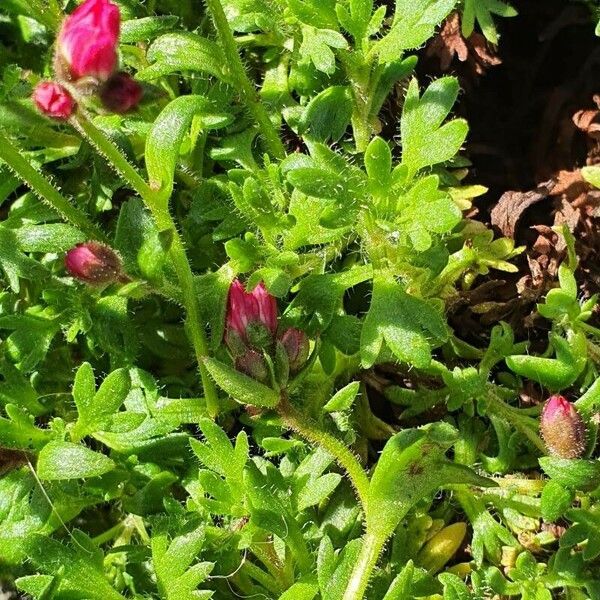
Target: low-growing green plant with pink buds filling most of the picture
[(222, 226)]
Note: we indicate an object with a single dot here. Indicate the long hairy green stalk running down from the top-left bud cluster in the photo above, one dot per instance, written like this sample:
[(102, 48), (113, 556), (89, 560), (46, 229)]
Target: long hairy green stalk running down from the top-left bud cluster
[(165, 222)]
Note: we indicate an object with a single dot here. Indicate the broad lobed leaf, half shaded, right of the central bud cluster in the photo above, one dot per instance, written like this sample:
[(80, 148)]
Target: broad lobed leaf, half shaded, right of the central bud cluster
[(410, 326)]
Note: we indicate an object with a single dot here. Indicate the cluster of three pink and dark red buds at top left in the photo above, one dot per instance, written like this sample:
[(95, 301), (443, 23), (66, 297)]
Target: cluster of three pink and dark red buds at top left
[(85, 62)]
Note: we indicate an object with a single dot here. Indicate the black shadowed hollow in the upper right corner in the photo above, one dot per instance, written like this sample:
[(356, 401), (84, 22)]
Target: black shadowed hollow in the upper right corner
[(520, 112)]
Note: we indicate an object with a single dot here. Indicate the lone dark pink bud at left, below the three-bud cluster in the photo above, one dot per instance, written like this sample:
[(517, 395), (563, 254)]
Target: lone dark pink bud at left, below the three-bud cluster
[(94, 263)]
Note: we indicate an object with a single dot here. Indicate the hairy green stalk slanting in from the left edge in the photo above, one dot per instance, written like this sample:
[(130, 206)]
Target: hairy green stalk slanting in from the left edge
[(43, 188)]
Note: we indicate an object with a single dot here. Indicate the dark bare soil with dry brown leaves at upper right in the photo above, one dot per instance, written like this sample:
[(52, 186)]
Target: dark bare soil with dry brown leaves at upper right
[(532, 104)]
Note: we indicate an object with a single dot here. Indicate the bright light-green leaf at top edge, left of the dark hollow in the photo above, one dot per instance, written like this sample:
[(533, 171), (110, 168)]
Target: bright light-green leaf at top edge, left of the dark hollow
[(414, 23)]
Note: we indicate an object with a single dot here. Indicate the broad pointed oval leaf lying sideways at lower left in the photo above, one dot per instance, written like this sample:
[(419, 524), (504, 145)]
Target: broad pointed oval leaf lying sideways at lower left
[(65, 460)]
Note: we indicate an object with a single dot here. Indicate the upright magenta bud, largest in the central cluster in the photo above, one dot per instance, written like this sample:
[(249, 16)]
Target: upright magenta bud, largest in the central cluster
[(251, 318)]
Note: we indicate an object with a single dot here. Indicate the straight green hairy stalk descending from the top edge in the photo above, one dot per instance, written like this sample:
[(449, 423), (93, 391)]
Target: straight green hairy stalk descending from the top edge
[(243, 84)]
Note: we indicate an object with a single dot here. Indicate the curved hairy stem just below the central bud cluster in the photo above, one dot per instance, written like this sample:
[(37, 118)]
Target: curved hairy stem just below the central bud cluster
[(309, 430)]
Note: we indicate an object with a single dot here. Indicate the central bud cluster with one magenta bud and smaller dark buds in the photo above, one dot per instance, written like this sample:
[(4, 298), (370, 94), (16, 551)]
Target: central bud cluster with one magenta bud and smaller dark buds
[(252, 337)]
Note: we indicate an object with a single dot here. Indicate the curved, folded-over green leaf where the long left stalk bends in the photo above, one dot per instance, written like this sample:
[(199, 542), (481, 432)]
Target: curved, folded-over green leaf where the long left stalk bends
[(165, 138)]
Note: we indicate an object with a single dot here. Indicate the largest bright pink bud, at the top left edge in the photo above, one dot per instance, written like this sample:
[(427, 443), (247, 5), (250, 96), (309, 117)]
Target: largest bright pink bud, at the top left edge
[(87, 42)]
